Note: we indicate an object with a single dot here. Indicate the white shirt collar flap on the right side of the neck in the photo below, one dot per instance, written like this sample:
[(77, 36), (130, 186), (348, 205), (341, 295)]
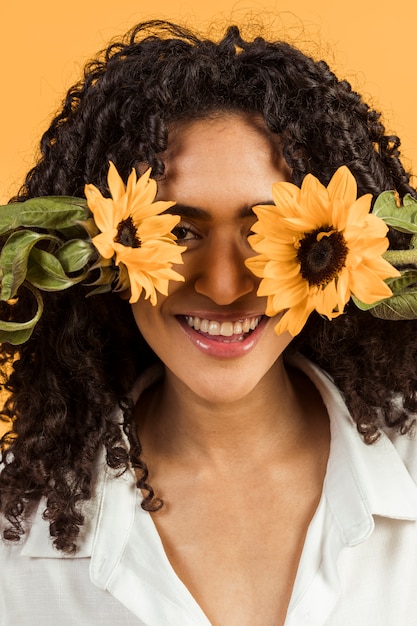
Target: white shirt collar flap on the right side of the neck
[(361, 480)]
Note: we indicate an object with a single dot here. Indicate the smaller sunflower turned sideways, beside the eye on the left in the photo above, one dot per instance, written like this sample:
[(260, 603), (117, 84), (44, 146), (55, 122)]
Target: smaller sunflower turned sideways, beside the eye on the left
[(133, 231)]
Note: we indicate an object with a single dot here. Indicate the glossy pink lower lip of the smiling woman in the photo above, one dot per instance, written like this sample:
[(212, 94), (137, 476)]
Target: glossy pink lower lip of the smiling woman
[(220, 346)]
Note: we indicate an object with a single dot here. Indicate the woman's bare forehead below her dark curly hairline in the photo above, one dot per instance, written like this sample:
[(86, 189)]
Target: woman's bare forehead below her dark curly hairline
[(235, 152)]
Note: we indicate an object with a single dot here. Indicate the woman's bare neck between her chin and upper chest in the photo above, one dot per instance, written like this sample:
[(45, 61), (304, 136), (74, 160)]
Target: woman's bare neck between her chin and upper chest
[(176, 423)]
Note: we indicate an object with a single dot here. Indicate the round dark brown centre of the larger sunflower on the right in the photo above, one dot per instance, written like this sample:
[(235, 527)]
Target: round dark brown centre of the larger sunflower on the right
[(322, 255)]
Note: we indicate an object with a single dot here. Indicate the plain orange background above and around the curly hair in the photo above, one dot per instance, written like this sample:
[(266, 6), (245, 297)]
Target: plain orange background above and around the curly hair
[(44, 44)]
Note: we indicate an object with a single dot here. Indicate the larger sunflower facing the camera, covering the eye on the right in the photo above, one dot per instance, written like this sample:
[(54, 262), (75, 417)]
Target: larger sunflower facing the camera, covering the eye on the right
[(317, 247)]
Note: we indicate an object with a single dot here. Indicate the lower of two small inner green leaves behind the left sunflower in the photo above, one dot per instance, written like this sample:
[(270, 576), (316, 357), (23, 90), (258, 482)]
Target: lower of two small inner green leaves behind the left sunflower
[(46, 272)]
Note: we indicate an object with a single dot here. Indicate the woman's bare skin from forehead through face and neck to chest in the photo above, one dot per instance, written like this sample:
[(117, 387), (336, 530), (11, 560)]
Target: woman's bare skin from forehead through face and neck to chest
[(227, 408)]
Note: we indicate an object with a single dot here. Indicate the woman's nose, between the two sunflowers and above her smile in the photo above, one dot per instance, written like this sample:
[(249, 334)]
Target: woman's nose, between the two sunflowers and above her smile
[(222, 275)]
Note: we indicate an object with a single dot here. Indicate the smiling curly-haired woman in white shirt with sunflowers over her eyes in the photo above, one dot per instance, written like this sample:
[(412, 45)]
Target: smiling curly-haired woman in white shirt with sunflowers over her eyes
[(194, 394)]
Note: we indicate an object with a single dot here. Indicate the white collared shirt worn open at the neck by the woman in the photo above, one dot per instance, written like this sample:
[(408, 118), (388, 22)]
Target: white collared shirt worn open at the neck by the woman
[(358, 566)]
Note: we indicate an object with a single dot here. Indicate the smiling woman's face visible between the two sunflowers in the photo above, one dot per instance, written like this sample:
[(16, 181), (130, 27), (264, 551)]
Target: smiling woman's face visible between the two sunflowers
[(210, 331)]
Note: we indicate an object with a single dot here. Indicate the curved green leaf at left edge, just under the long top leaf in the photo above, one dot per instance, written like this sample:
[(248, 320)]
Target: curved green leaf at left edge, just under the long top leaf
[(14, 259)]
